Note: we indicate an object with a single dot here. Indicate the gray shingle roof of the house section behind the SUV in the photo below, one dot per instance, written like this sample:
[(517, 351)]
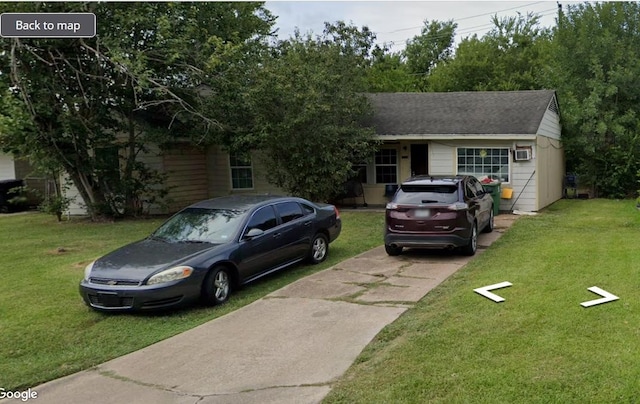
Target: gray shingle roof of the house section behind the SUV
[(463, 113)]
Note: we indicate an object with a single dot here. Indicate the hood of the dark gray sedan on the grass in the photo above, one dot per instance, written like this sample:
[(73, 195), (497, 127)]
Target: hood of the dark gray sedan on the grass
[(141, 259)]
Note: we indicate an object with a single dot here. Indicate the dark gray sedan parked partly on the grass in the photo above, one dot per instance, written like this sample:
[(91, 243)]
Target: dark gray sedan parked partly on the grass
[(207, 249)]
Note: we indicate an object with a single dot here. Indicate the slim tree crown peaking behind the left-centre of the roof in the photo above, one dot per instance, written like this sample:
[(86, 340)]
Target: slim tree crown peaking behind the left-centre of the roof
[(433, 47)]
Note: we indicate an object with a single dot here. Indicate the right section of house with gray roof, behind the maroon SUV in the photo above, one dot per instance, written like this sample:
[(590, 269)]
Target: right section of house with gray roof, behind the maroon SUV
[(511, 136)]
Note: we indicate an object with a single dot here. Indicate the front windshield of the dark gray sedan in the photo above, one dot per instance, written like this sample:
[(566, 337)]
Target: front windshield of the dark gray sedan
[(194, 225)]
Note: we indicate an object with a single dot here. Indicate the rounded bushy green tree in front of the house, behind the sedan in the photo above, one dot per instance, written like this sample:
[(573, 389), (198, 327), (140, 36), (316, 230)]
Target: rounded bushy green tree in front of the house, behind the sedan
[(309, 110)]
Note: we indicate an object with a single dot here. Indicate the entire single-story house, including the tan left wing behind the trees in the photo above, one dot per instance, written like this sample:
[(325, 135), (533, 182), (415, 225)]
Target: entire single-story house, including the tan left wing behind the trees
[(512, 136)]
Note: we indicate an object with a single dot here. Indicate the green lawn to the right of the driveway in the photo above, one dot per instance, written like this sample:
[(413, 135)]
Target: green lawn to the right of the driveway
[(540, 345)]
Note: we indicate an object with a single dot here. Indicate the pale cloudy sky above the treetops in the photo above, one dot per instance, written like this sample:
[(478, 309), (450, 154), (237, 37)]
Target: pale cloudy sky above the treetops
[(394, 22)]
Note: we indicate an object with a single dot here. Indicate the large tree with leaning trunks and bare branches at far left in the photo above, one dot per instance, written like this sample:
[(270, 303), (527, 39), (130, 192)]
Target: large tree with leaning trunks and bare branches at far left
[(94, 101)]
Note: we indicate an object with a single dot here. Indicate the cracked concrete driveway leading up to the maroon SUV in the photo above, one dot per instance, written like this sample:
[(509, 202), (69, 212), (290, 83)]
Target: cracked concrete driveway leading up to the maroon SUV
[(287, 347)]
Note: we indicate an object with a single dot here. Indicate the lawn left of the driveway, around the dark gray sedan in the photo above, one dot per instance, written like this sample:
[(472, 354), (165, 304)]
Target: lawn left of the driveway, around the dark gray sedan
[(47, 332)]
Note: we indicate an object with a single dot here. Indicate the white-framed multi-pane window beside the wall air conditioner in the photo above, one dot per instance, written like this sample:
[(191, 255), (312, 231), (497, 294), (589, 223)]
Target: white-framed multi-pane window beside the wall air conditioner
[(481, 161)]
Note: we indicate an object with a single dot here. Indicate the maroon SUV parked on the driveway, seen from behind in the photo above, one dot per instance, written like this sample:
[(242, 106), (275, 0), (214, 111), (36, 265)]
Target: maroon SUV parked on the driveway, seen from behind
[(438, 212)]
